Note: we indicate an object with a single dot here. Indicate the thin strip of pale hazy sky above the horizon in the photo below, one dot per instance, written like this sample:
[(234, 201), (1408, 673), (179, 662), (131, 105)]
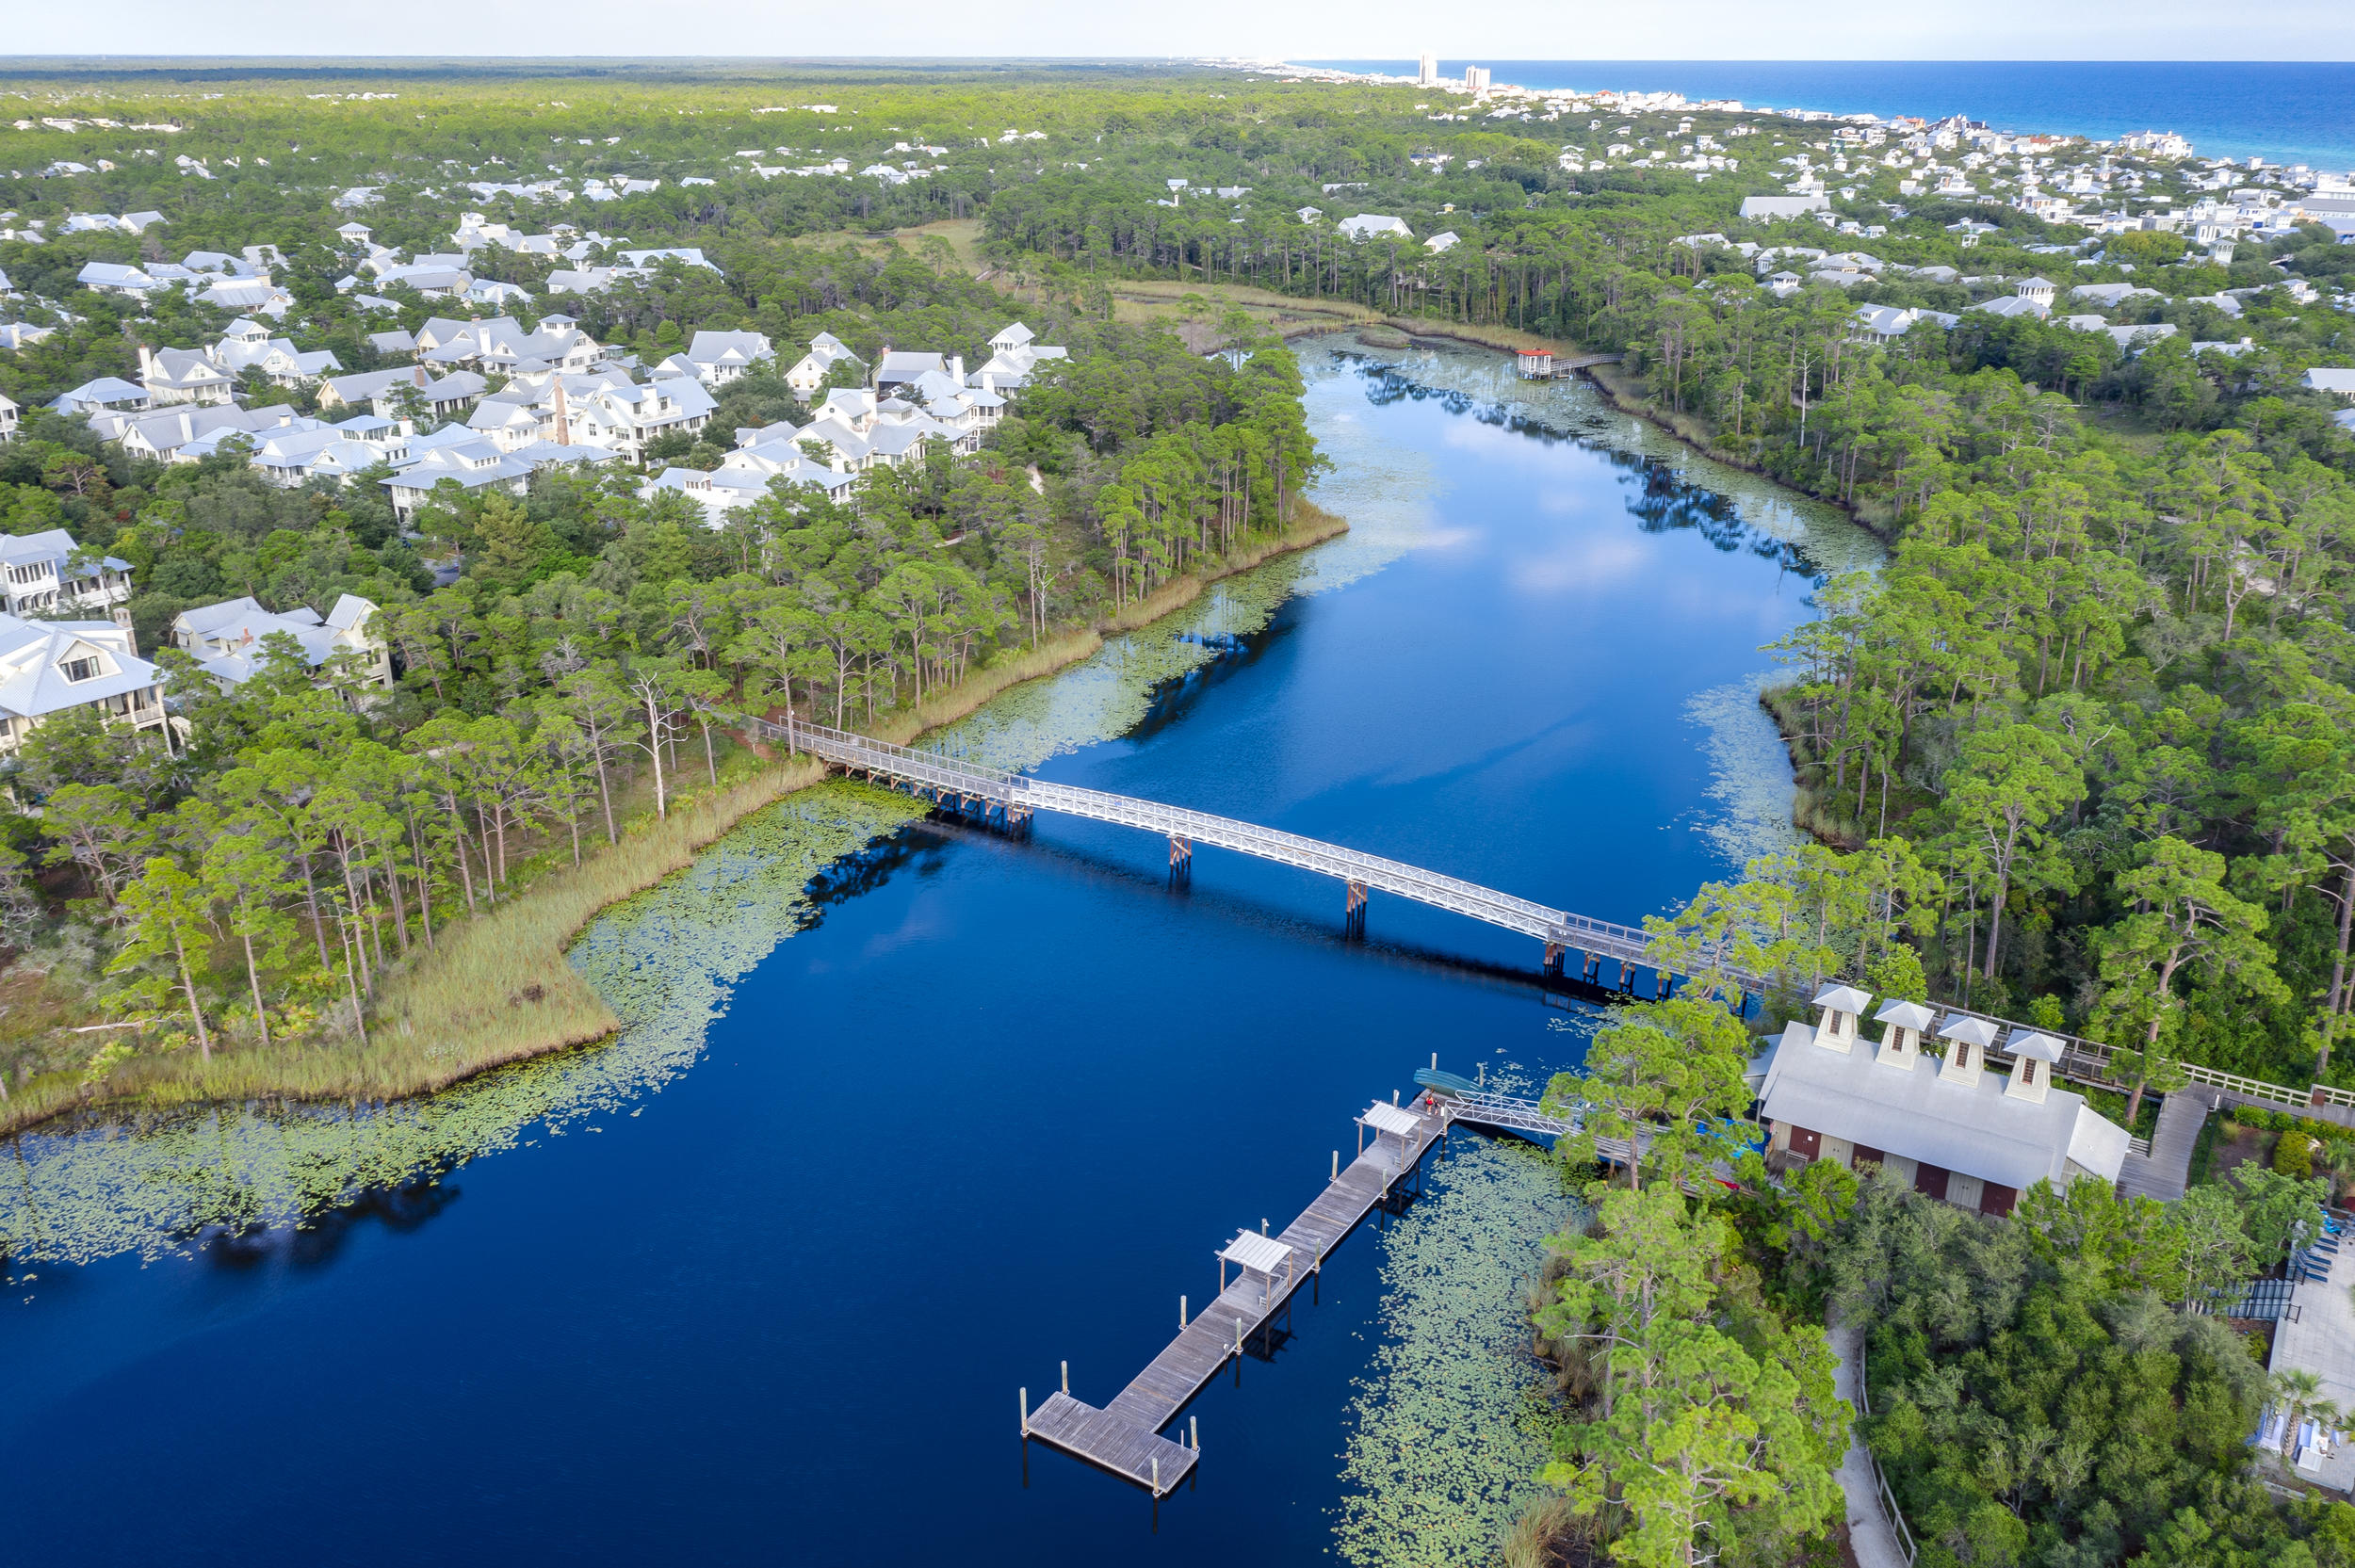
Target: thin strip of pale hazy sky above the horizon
[(1303, 29)]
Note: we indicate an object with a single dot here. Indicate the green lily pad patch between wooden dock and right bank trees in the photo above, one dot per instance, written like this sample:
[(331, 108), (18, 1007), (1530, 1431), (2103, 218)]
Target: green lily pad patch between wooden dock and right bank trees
[(1452, 1423)]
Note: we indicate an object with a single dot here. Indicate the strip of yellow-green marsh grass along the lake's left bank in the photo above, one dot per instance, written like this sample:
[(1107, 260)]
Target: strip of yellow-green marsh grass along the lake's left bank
[(519, 995)]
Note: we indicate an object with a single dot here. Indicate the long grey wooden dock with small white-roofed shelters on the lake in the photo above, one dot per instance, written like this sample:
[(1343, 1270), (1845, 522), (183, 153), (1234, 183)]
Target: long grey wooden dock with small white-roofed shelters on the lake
[(1125, 1437)]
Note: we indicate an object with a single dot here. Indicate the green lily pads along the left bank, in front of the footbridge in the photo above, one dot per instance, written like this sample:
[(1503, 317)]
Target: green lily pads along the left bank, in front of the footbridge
[(665, 962)]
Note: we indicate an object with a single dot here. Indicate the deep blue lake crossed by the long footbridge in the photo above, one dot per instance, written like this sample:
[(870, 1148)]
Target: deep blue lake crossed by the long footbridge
[(995, 1105)]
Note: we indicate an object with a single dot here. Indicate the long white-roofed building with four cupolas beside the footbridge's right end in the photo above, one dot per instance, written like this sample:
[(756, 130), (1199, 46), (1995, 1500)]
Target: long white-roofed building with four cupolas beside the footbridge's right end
[(1951, 1127)]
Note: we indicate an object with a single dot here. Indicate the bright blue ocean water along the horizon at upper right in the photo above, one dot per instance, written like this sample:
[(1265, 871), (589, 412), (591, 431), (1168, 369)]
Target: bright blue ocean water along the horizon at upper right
[(2281, 112)]
